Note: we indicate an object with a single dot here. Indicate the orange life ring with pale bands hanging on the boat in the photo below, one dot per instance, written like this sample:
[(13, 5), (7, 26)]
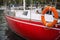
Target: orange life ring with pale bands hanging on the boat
[(53, 9)]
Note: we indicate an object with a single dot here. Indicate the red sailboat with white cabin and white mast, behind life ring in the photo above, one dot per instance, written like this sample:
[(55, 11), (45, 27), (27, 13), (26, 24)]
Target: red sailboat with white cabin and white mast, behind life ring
[(29, 25)]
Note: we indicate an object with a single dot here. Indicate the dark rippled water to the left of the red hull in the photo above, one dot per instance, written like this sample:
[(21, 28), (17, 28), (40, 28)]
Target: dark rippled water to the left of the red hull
[(5, 33)]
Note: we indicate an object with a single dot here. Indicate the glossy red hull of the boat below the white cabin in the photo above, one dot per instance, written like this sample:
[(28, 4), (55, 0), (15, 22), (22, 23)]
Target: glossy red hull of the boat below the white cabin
[(29, 30)]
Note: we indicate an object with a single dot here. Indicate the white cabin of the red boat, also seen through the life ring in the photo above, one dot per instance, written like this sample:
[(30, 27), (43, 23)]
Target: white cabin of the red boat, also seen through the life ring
[(33, 15)]
